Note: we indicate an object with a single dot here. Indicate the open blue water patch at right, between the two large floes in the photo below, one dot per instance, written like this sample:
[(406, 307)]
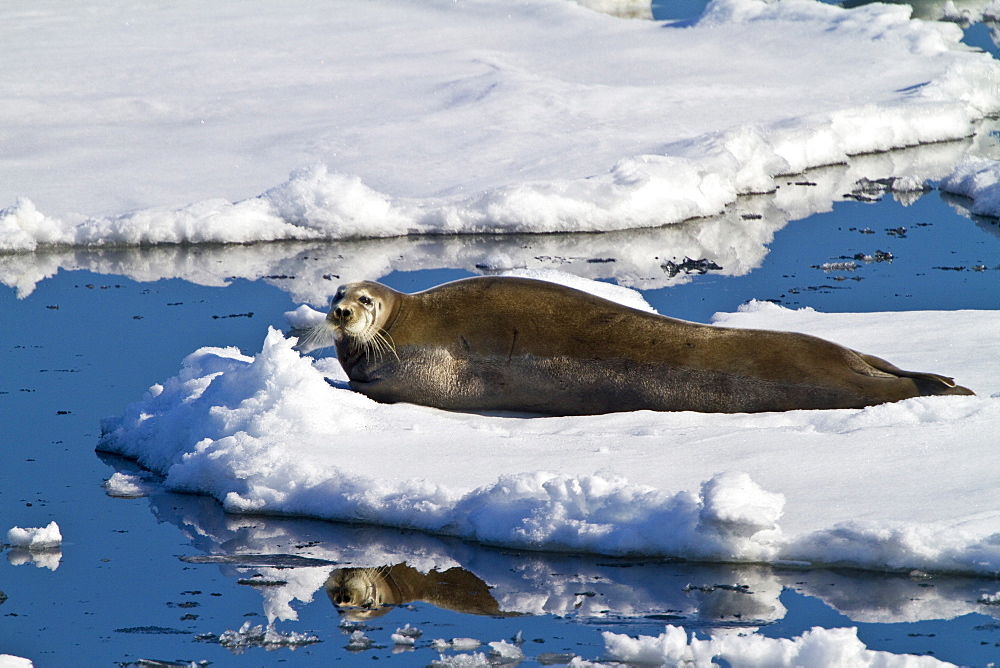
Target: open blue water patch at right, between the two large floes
[(942, 261)]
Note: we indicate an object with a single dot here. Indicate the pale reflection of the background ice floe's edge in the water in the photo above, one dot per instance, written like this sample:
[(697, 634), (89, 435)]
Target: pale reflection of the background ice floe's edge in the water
[(735, 241)]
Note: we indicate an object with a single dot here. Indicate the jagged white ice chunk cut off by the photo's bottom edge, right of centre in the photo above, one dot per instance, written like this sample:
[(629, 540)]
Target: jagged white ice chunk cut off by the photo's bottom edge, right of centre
[(815, 647)]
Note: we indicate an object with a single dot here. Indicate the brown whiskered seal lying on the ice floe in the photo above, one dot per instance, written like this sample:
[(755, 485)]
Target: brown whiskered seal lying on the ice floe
[(516, 344)]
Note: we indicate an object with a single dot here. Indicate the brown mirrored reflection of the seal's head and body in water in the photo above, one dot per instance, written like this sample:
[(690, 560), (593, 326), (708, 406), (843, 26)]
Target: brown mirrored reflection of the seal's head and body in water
[(364, 593)]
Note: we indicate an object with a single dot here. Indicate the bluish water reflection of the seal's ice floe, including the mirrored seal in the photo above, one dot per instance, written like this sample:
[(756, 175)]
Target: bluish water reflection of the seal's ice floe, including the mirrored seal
[(297, 558)]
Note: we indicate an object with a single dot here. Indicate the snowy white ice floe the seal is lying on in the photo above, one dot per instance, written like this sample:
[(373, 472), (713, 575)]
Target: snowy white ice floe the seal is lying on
[(271, 434)]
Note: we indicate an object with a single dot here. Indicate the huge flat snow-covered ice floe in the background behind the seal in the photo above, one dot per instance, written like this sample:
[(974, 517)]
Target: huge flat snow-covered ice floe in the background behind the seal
[(474, 118)]
